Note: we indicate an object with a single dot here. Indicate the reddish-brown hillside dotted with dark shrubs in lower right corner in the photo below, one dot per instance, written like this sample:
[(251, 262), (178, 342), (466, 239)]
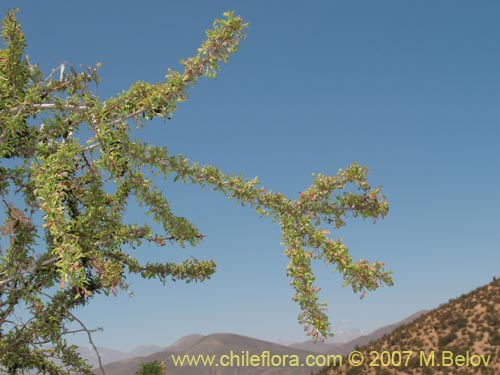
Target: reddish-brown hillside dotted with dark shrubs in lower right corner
[(462, 335)]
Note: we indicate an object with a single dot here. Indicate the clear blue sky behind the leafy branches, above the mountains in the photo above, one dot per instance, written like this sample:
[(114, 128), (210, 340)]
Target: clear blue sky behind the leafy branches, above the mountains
[(409, 89)]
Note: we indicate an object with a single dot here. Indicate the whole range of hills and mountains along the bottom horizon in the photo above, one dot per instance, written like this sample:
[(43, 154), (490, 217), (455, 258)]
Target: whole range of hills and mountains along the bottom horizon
[(470, 322)]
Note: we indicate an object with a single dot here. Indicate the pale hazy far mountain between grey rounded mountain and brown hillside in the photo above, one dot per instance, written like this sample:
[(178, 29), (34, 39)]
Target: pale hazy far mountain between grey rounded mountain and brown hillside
[(343, 346)]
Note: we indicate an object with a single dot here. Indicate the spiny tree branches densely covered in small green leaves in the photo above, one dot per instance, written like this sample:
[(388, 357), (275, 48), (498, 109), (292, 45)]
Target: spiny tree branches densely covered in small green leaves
[(70, 168)]
